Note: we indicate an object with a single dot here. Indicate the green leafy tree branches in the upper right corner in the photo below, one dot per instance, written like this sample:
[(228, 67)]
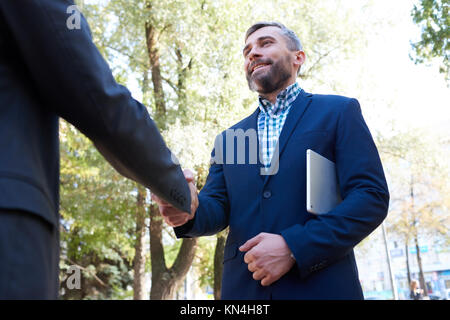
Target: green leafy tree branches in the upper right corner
[(433, 18)]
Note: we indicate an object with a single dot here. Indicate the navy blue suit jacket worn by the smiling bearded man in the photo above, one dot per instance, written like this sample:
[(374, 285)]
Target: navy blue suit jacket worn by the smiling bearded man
[(238, 196)]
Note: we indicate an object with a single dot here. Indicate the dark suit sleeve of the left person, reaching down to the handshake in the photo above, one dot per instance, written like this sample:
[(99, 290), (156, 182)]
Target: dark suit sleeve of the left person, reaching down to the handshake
[(75, 82)]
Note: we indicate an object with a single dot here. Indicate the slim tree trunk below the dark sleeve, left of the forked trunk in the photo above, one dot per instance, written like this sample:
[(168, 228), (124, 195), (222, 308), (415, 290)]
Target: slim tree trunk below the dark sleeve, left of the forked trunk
[(139, 256)]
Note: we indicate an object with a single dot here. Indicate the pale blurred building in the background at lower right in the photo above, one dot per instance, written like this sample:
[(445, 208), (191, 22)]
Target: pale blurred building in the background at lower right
[(374, 269)]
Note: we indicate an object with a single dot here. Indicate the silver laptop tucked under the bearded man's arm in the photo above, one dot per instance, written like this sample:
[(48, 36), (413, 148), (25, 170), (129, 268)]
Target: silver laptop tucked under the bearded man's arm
[(322, 188)]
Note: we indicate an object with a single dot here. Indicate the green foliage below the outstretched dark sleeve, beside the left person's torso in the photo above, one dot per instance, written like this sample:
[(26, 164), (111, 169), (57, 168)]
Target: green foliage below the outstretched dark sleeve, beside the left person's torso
[(97, 210)]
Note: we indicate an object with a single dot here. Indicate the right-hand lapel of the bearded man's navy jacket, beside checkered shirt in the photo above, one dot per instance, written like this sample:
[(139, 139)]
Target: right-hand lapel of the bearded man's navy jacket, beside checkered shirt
[(295, 114)]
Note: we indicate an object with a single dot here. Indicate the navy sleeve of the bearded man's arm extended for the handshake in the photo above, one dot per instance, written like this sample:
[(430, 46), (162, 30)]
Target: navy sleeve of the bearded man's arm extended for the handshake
[(212, 215)]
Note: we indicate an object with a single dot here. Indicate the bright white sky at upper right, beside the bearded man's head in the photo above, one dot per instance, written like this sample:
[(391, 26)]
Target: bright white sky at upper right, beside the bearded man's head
[(389, 86)]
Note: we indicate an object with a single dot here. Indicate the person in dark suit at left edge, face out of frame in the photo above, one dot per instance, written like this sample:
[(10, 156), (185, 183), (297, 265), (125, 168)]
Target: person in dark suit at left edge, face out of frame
[(47, 71)]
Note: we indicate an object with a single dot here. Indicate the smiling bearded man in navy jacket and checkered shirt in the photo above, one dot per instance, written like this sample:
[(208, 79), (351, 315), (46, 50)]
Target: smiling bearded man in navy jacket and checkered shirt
[(275, 248)]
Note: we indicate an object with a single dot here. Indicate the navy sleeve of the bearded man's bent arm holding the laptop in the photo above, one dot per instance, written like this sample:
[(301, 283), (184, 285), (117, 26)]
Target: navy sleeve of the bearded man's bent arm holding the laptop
[(328, 237)]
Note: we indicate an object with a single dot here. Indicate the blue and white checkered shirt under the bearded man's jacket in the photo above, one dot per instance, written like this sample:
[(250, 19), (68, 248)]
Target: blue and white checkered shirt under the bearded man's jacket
[(271, 120)]
